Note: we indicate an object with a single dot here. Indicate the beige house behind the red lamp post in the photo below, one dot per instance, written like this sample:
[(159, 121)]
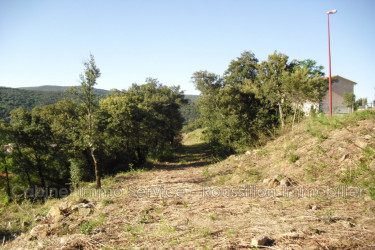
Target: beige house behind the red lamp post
[(340, 86)]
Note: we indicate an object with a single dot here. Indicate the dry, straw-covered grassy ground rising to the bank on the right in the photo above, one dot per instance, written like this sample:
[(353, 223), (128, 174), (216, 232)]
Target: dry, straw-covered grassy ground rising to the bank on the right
[(194, 203)]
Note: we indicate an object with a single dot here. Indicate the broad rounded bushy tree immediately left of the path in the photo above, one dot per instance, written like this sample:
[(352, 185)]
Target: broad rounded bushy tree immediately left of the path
[(142, 121)]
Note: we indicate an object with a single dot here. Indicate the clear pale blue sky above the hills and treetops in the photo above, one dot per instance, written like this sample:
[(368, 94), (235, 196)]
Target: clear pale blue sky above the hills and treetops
[(46, 42)]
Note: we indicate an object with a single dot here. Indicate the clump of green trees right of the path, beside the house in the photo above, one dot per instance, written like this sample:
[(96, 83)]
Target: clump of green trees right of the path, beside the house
[(253, 98)]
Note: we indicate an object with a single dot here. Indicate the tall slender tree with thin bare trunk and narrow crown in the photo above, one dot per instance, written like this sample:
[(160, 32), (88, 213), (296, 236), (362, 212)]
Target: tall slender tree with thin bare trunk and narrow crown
[(86, 95)]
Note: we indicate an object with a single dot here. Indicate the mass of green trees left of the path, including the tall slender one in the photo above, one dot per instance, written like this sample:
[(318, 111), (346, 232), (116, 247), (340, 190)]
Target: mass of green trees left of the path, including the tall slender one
[(78, 139)]
